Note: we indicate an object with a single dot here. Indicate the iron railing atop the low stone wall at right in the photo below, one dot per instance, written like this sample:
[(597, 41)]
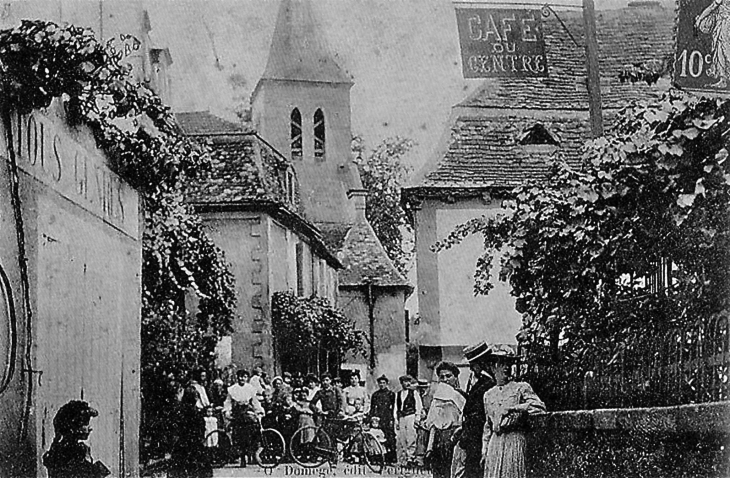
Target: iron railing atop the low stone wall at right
[(682, 366)]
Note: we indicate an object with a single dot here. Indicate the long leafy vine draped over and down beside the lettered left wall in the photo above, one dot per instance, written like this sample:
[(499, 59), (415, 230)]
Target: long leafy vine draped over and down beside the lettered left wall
[(41, 61)]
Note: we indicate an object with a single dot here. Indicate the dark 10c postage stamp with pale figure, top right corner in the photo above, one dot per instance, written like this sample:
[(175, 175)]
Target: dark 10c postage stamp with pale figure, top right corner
[(702, 60)]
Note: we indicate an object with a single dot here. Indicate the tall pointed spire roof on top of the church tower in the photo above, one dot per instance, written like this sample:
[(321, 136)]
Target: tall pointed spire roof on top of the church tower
[(298, 50)]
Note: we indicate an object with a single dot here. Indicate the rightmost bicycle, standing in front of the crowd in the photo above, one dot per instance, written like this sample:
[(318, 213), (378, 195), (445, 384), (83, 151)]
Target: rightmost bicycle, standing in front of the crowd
[(311, 446)]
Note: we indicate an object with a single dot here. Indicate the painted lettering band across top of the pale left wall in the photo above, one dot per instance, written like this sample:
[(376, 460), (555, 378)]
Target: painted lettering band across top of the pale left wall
[(69, 162)]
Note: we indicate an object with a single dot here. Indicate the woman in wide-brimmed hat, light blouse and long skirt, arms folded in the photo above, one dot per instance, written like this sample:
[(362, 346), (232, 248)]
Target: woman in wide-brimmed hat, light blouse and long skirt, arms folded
[(506, 406)]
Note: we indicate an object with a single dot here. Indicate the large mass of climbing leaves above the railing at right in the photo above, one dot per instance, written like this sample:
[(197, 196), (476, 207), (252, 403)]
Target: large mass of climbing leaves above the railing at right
[(584, 245)]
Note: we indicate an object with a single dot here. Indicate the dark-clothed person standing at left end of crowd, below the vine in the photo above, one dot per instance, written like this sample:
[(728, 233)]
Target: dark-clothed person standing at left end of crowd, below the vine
[(189, 459)]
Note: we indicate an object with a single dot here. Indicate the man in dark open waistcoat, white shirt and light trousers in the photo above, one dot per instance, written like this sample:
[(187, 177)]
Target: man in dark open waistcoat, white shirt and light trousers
[(407, 410)]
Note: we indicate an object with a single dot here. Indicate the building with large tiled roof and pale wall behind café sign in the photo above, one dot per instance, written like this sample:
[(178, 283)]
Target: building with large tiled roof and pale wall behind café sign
[(504, 133)]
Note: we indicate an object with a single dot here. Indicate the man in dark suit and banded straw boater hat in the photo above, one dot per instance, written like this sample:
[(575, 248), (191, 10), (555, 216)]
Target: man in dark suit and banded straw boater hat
[(474, 416)]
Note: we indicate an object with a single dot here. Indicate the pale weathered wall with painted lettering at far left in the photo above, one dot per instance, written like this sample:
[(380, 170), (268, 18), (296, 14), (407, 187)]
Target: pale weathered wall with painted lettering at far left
[(82, 233)]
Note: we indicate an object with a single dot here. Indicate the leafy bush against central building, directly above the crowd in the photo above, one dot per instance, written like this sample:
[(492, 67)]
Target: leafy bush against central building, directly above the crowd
[(305, 325)]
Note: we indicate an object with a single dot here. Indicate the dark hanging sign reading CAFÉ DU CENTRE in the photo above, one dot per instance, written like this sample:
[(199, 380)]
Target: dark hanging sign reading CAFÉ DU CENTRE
[(501, 43)]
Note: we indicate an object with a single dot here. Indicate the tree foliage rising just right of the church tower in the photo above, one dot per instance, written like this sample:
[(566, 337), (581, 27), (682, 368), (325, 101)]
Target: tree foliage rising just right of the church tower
[(383, 174)]
